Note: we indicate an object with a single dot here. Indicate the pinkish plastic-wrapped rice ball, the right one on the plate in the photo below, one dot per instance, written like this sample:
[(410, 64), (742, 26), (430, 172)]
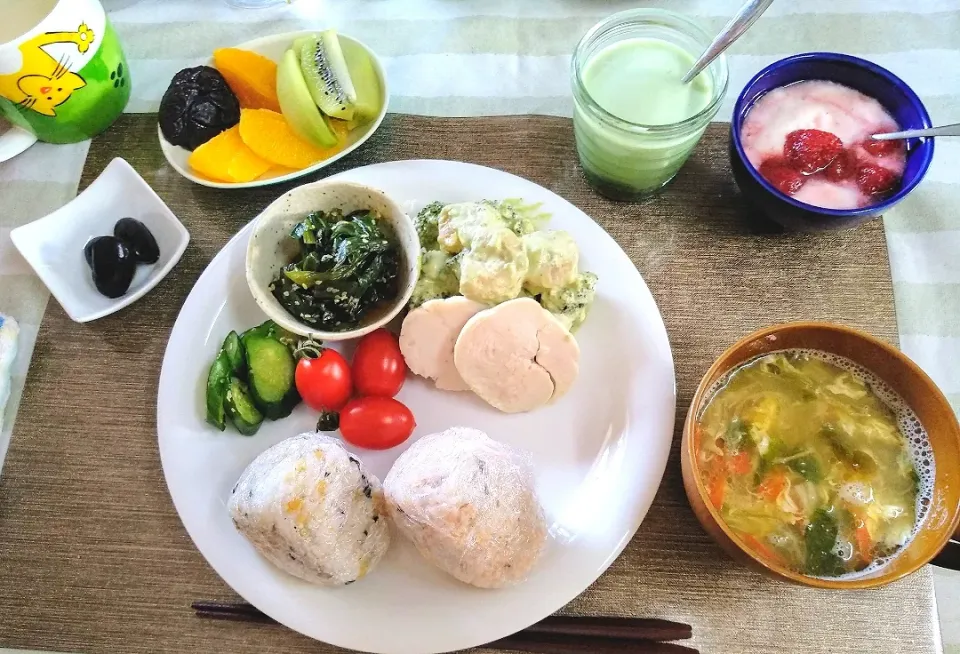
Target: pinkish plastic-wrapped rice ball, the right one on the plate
[(468, 503)]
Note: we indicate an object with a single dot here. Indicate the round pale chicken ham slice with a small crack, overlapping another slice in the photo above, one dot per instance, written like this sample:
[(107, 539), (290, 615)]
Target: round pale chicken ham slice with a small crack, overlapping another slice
[(517, 356)]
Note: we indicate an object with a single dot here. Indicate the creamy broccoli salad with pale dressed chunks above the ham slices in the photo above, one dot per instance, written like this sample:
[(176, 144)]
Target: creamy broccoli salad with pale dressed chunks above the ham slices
[(494, 251)]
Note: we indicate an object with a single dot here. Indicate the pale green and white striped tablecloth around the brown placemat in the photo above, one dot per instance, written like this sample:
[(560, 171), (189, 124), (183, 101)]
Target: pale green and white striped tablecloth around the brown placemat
[(483, 57)]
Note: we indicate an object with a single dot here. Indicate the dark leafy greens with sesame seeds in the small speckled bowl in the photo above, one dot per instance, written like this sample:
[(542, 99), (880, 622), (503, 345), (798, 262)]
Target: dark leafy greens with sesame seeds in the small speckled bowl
[(347, 266)]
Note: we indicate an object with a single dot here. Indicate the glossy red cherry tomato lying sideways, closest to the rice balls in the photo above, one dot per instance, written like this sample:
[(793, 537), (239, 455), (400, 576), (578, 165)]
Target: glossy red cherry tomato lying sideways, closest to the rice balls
[(376, 423)]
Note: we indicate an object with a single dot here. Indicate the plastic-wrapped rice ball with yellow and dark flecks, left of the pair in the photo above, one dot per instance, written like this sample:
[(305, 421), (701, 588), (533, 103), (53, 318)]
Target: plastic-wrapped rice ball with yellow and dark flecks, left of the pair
[(311, 509)]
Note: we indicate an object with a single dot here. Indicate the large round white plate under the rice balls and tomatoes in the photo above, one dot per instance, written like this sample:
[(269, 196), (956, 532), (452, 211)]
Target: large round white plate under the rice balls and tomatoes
[(599, 452)]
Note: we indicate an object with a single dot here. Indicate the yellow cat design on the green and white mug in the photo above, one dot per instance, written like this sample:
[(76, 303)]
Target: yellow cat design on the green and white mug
[(43, 83)]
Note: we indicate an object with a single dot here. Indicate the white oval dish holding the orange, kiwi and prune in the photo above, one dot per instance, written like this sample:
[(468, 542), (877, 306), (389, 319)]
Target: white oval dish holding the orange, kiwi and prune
[(273, 48)]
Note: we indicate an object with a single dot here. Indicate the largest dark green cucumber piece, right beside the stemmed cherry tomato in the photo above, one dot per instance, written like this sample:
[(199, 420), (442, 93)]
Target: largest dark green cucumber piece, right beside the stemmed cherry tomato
[(270, 366)]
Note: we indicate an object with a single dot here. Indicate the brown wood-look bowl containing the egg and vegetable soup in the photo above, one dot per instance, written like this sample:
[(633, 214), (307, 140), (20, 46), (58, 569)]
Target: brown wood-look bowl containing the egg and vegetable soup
[(933, 542)]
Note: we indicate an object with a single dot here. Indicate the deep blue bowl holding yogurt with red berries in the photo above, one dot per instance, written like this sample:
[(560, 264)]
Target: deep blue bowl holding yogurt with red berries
[(853, 72)]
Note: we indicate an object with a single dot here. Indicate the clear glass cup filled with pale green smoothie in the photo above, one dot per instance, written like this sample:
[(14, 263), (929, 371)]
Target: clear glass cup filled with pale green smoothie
[(637, 80)]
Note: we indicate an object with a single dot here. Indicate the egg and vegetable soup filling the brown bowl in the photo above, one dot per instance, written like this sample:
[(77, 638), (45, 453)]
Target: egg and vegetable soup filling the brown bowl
[(807, 464)]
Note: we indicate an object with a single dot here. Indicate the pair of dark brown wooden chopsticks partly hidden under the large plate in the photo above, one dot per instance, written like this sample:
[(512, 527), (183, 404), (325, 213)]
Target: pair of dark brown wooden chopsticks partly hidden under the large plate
[(553, 635)]
